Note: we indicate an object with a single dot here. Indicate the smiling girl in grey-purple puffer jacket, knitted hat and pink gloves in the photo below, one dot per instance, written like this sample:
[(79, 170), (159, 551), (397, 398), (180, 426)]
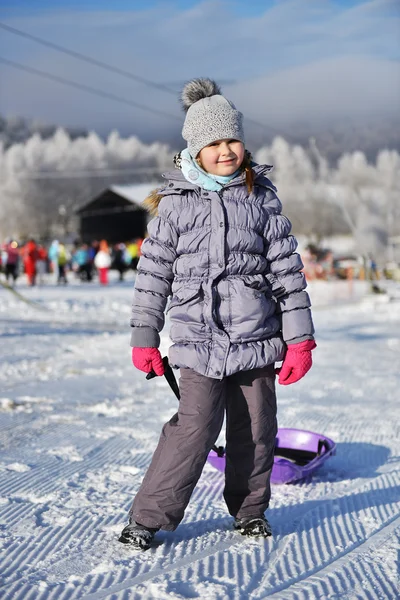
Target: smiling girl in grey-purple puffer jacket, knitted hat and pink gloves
[(221, 248)]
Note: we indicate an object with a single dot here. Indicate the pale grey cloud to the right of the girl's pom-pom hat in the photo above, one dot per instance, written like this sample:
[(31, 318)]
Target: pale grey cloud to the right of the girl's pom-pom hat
[(345, 86)]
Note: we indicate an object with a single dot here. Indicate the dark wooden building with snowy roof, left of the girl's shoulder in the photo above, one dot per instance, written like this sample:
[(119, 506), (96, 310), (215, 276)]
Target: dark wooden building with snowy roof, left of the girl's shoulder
[(116, 215)]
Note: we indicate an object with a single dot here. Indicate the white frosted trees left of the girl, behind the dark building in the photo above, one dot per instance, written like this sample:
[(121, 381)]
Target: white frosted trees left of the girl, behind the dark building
[(43, 181)]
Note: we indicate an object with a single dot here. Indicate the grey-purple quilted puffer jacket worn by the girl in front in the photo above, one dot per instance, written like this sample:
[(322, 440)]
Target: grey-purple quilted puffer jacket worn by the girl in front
[(228, 261)]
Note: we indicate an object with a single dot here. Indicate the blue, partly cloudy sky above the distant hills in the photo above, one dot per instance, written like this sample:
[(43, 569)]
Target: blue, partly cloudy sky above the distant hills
[(279, 61)]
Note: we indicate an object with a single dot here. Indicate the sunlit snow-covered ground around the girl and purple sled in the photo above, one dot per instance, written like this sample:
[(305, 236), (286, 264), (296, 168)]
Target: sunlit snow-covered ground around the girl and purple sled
[(78, 425)]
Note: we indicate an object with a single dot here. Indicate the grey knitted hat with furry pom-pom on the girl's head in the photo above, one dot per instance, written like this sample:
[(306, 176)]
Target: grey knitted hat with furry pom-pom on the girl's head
[(210, 116)]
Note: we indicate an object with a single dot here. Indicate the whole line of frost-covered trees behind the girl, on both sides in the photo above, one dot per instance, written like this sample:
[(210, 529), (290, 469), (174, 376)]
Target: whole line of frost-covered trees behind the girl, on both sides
[(43, 181)]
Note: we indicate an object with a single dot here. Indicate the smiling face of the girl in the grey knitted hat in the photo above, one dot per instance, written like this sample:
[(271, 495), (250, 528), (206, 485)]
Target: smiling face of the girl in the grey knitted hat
[(222, 157)]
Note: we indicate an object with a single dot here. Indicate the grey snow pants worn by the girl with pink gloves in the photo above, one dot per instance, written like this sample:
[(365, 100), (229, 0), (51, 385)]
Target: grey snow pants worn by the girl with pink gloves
[(251, 427)]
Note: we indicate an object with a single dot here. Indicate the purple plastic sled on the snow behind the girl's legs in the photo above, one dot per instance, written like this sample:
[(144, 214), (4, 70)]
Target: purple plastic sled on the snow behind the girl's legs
[(298, 453)]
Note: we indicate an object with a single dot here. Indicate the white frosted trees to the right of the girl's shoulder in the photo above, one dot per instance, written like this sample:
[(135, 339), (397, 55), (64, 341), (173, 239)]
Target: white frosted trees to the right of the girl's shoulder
[(354, 196)]
